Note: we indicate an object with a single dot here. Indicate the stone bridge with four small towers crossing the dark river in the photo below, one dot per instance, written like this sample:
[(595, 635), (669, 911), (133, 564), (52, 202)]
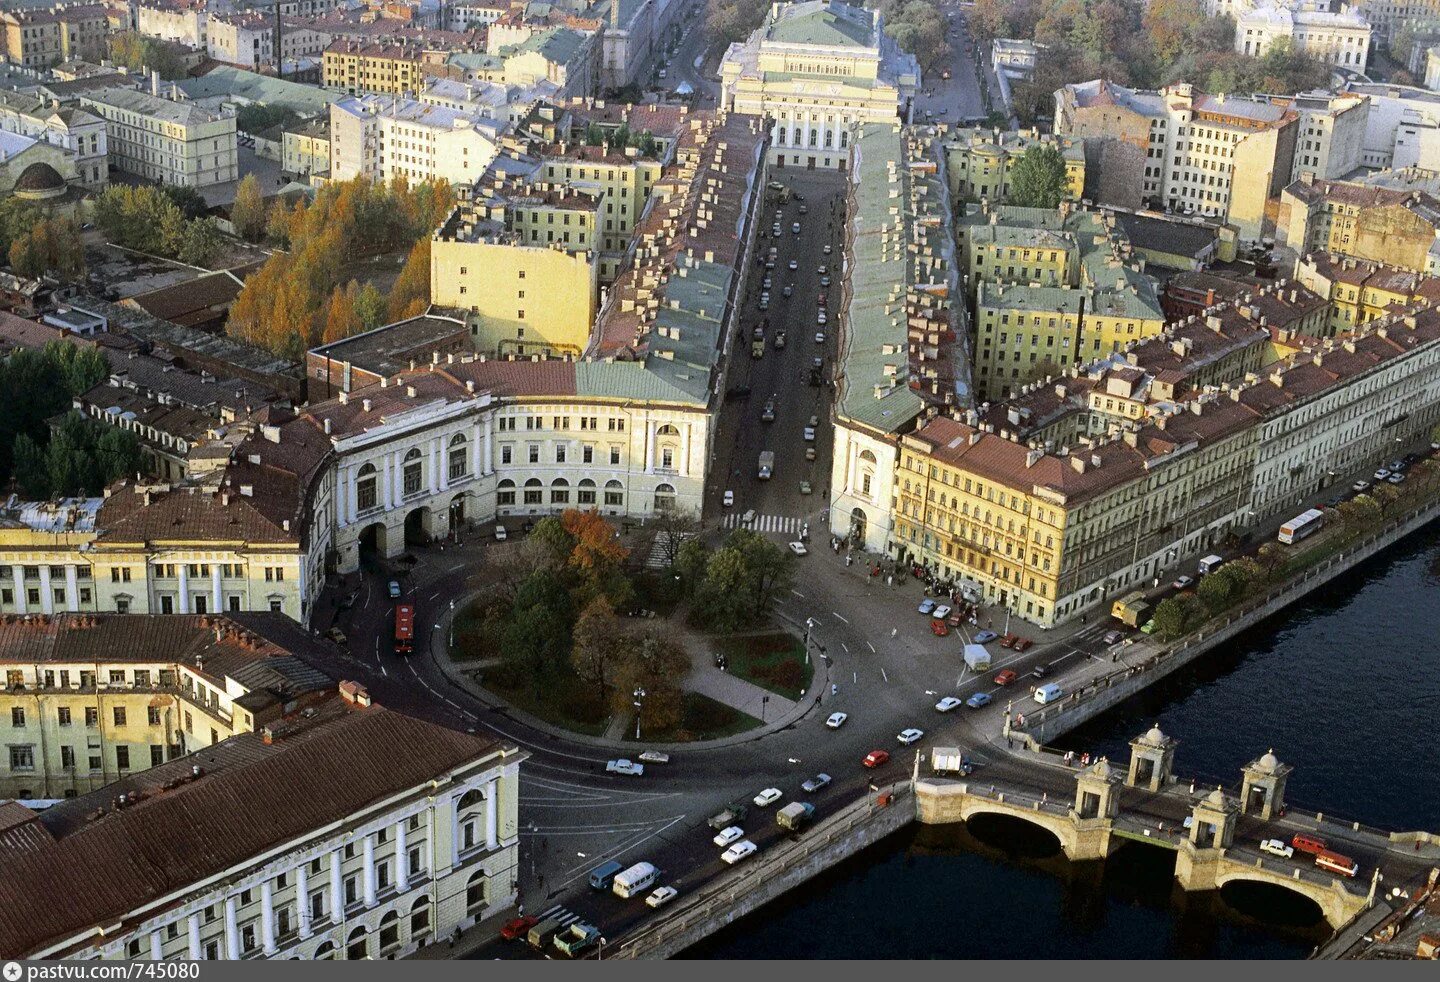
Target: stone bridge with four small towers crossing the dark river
[(1091, 810)]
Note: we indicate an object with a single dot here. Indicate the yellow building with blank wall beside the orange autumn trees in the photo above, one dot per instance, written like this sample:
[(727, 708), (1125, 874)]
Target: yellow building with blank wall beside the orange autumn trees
[(523, 267)]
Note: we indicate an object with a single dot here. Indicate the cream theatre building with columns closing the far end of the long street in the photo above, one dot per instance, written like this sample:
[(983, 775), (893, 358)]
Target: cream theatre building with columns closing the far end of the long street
[(817, 70)]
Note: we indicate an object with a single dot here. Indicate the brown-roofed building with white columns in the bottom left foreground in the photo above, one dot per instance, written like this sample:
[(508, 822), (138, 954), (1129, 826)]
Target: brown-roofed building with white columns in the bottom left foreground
[(339, 832)]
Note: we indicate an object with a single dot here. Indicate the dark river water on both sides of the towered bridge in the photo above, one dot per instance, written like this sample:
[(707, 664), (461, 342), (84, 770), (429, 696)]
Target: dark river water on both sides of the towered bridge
[(1343, 686)]
